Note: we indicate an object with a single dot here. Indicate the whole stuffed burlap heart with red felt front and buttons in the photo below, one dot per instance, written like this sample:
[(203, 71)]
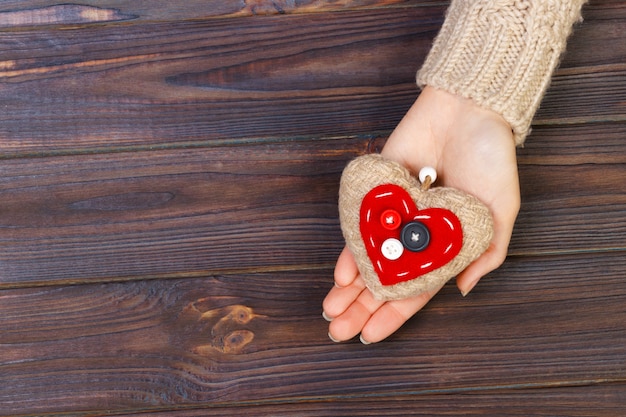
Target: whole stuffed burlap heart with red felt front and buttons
[(407, 239)]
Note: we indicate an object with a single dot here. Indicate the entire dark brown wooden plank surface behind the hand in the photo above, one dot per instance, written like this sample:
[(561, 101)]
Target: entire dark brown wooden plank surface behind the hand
[(168, 221)]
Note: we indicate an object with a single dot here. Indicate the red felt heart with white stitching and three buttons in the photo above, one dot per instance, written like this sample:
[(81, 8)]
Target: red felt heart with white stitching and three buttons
[(402, 241)]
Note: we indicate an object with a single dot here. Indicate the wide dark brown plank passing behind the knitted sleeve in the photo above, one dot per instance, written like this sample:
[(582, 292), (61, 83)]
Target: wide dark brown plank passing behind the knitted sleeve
[(106, 88)]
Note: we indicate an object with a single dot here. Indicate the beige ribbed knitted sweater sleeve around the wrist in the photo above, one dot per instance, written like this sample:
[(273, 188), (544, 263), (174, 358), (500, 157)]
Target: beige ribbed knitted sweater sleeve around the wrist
[(501, 54)]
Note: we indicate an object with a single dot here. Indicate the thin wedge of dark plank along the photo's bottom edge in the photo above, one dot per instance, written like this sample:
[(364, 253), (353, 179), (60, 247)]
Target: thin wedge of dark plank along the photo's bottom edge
[(580, 401)]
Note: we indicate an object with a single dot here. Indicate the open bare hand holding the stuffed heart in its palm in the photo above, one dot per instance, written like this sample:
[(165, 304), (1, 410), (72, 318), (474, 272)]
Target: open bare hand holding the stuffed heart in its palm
[(472, 150)]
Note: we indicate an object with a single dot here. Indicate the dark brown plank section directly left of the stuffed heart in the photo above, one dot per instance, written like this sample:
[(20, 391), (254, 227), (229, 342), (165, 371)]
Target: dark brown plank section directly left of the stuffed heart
[(171, 213)]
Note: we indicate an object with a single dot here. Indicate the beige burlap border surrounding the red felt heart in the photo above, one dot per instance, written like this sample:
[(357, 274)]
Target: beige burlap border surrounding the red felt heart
[(370, 171)]
